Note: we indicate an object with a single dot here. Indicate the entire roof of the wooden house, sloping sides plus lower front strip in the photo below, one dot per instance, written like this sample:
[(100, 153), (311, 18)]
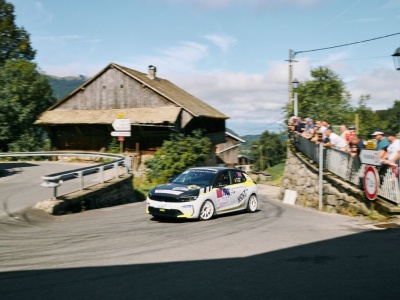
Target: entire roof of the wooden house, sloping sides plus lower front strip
[(182, 99)]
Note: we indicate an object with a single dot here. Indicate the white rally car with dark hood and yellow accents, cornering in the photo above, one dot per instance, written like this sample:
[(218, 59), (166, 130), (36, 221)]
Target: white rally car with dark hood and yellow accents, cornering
[(201, 193)]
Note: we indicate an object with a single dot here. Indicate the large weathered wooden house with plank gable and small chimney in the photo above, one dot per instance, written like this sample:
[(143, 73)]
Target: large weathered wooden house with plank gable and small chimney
[(83, 119)]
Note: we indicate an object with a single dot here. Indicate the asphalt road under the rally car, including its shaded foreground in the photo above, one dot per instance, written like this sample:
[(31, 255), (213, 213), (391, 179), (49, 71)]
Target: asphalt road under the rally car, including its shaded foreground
[(279, 252)]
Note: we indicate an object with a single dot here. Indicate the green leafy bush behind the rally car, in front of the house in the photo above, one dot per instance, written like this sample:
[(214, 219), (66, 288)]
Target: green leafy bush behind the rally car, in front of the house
[(178, 154)]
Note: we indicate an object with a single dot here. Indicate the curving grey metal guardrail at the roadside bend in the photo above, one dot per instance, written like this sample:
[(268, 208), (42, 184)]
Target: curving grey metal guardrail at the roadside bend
[(56, 179)]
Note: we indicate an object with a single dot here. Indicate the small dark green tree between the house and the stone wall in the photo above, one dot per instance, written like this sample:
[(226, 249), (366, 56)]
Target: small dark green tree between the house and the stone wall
[(271, 148)]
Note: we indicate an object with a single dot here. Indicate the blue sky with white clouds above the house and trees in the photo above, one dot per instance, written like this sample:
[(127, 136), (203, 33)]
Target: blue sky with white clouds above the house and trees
[(231, 54)]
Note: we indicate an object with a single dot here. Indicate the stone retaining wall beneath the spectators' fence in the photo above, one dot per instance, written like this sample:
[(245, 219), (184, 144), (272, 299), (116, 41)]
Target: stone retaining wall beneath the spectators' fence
[(338, 196)]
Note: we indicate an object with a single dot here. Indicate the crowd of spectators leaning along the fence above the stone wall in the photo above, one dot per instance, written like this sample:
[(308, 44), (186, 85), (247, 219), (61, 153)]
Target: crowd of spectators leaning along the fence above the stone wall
[(320, 131)]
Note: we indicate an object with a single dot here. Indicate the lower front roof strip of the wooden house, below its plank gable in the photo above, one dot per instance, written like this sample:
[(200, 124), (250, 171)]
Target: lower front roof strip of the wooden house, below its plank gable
[(139, 116)]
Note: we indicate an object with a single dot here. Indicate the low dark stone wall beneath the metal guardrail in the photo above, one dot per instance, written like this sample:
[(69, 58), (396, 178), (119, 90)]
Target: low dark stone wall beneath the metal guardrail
[(113, 192)]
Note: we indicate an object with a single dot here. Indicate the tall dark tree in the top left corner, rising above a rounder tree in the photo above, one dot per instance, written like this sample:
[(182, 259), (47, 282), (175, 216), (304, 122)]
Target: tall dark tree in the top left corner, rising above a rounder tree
[(14, 41)]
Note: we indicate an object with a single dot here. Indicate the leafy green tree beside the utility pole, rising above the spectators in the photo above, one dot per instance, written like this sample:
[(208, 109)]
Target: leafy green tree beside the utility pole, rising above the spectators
[(324, 97)]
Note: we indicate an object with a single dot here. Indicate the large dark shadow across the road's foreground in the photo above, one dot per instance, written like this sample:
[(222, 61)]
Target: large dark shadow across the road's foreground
[(360, 266)]
